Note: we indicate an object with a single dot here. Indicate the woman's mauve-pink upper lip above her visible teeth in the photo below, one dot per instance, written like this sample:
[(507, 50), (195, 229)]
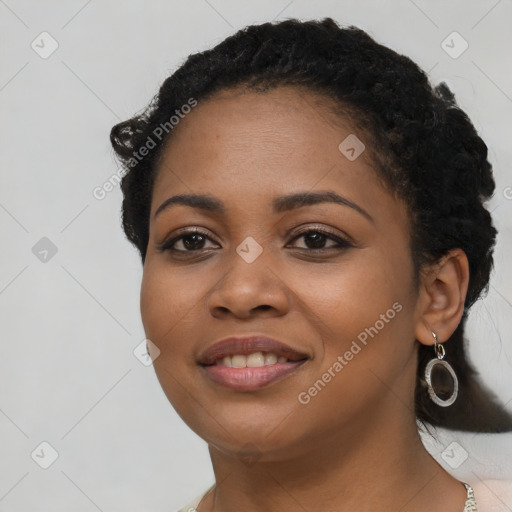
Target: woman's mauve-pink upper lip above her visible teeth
[(245, 345)]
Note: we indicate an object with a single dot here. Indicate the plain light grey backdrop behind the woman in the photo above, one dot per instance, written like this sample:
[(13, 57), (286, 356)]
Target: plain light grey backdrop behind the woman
[(69, 281)]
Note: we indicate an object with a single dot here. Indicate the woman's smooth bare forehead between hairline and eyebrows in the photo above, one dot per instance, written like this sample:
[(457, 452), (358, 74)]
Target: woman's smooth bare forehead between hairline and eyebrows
[(283, 134)]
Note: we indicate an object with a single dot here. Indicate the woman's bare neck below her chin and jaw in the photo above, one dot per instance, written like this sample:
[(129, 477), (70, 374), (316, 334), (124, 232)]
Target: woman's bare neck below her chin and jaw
[(379, 466)]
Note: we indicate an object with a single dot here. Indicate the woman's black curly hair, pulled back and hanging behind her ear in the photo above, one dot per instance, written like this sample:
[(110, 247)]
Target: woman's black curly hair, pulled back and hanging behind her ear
[(425, 148)]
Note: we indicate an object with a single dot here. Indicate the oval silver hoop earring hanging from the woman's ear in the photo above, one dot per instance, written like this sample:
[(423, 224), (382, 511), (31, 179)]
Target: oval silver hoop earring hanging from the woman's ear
[(435, 369)]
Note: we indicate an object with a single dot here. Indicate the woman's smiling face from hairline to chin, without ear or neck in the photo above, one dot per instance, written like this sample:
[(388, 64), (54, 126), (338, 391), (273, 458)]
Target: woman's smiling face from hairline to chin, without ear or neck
[(296, 242)]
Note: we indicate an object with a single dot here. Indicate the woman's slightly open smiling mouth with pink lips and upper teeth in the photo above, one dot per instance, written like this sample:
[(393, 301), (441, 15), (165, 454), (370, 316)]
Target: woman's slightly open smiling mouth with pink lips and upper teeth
[(250, 363)]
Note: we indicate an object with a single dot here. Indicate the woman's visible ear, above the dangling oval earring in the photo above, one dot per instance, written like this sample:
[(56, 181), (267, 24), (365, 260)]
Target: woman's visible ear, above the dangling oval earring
[(442, 293)]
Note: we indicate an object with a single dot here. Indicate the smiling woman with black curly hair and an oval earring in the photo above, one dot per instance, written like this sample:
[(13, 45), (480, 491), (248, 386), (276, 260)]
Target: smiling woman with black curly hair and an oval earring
[(309, 214)]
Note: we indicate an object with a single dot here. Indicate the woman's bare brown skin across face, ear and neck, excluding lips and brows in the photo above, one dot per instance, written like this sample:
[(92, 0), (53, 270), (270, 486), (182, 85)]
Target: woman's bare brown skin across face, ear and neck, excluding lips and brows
[(355, 445)]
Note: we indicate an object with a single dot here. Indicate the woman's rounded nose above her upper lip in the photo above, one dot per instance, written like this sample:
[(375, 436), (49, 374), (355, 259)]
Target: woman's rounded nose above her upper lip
[(248, 290)]
